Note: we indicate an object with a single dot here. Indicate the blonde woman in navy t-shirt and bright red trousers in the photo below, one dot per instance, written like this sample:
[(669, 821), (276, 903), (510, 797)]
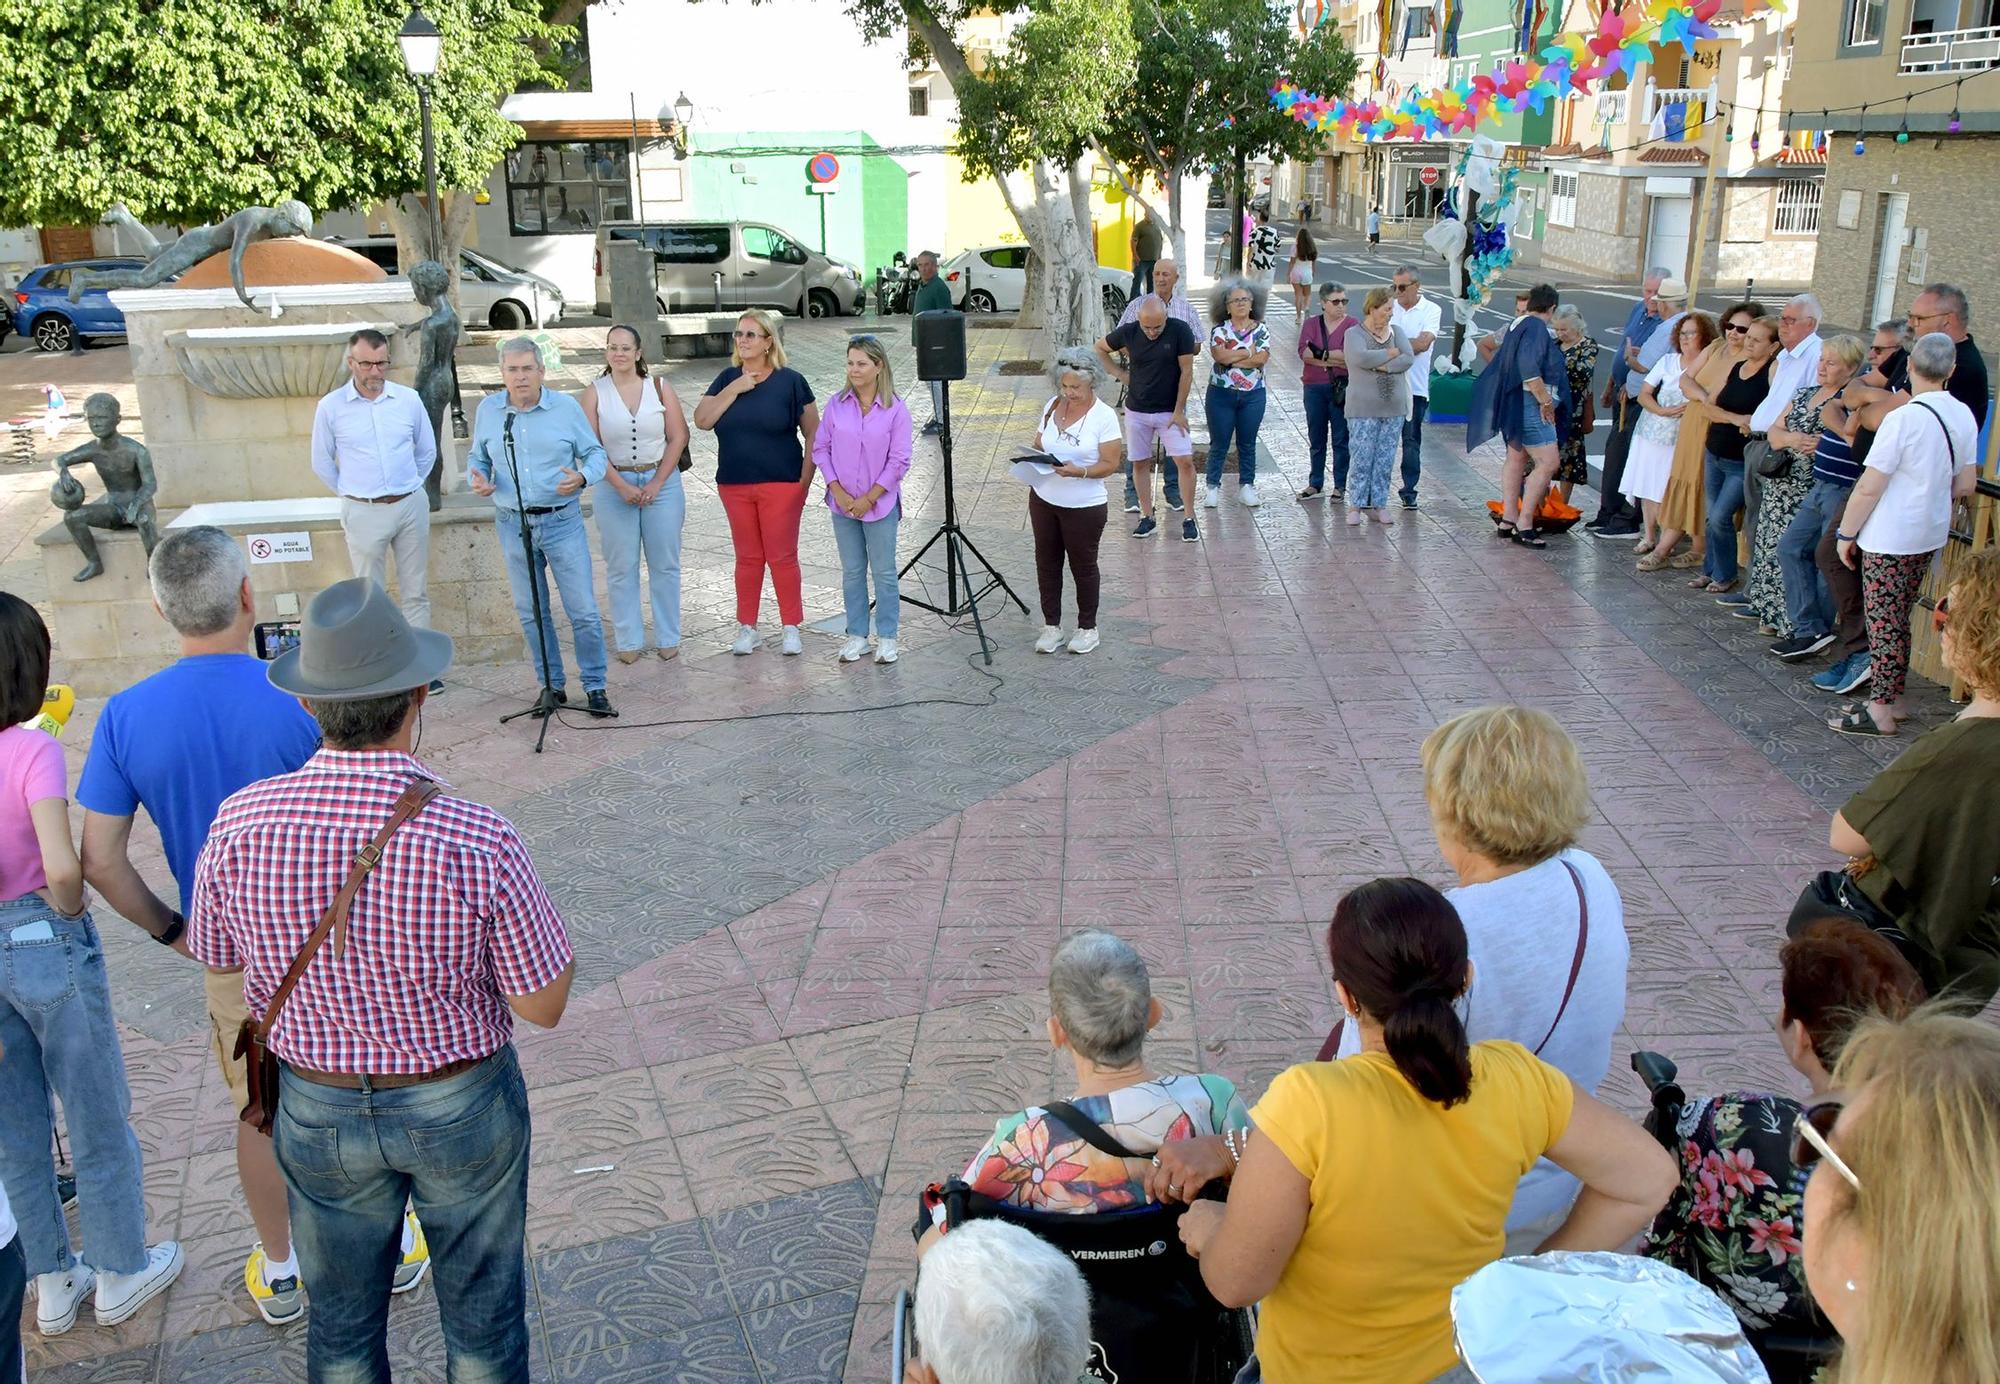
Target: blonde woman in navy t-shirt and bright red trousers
[(759, 409)]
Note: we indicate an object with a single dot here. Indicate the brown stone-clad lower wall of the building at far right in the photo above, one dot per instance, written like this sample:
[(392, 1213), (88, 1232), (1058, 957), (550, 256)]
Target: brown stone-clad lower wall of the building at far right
[(1945, 179)]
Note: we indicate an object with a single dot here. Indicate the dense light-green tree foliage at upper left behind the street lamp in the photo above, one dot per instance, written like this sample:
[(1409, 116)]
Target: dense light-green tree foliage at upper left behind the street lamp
[(187, 111)]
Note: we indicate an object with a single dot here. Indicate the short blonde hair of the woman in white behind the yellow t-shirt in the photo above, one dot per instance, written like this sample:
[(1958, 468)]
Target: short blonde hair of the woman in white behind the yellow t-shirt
[(1507, 783)]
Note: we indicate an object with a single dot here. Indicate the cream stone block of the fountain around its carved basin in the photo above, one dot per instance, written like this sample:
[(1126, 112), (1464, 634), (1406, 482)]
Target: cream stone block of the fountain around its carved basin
[(209, 449)]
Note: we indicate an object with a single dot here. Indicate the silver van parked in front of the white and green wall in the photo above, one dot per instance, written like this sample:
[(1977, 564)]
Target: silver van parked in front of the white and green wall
[(701, 267)]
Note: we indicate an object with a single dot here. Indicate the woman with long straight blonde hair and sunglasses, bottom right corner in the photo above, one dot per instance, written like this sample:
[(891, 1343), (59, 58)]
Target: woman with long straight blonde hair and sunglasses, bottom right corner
[(1903, 1209)]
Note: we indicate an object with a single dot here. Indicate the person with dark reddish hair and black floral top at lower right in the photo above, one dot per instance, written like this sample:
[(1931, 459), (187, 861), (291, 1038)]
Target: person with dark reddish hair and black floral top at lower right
[(1737, 1219)]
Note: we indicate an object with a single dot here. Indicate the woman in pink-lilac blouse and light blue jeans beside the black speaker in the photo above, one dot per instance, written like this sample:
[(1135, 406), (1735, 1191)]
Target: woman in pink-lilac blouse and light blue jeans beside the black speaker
[(863, 451)]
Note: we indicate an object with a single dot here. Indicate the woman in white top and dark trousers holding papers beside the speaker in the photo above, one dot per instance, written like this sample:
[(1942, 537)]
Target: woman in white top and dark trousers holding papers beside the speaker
[(1081, 445)]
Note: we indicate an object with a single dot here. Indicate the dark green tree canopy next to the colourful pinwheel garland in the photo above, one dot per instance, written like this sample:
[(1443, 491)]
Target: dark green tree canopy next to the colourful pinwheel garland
[(1201, 95)]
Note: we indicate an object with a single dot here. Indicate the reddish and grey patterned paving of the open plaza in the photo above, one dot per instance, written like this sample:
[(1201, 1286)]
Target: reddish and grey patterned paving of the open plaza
[(815, 903)]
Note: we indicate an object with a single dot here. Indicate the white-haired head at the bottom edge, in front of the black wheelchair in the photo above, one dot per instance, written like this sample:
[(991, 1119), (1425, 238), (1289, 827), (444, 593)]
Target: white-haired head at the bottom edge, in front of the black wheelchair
[(999, 1307)]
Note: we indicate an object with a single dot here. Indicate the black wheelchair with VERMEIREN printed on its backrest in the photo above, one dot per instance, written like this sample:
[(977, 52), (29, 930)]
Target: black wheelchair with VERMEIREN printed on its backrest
[(1151, 1317)]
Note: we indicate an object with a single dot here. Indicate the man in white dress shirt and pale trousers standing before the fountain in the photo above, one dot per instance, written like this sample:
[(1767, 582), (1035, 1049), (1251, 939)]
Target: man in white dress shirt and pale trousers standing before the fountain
[(373, 447)]
